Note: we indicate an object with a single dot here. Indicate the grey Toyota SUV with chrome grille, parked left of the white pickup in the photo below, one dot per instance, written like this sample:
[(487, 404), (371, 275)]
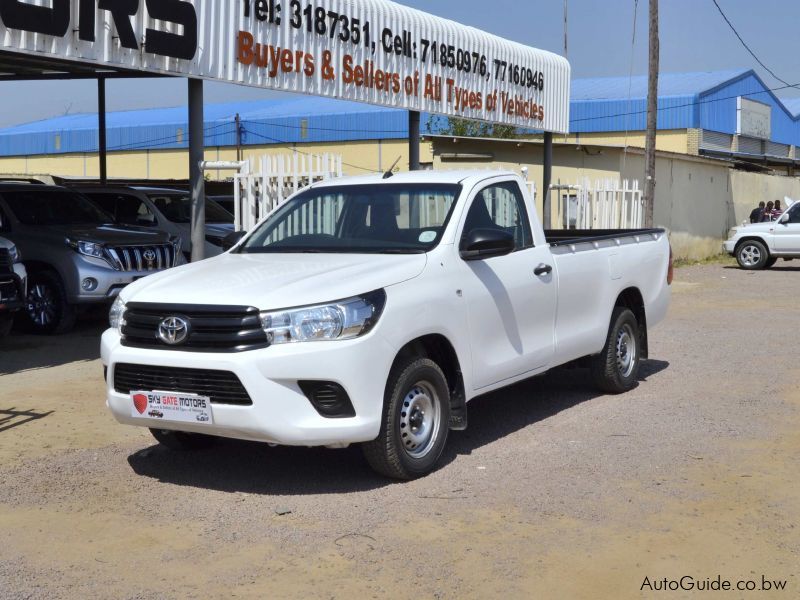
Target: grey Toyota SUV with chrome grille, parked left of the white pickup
[(73, 254)]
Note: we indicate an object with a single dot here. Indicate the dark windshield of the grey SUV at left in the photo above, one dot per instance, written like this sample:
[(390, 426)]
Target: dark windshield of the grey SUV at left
[(54, 207)]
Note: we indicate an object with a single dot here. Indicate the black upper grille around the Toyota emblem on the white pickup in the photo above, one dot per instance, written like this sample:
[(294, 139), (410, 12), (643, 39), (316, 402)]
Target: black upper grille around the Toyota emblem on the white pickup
[(210, 328)]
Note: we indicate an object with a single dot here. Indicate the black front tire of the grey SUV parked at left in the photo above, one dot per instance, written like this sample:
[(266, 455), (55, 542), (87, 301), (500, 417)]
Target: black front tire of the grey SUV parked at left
[(46, 305)]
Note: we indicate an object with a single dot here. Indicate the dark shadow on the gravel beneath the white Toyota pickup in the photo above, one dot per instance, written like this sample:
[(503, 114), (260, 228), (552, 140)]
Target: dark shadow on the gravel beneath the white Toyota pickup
[(236, 466)]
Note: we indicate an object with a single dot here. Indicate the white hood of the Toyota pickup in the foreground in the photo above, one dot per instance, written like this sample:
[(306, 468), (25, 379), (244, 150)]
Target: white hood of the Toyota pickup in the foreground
[(273, 281)]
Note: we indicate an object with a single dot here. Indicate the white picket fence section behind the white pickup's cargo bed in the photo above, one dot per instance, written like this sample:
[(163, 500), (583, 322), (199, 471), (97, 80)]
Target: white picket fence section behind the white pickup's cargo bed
[(602, 204)]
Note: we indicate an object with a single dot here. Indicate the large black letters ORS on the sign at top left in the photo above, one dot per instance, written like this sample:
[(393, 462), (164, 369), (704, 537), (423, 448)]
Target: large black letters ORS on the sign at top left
[(55, 20)]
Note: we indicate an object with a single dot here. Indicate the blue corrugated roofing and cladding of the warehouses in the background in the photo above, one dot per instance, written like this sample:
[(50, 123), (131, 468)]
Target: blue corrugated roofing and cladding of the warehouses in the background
[(704, 100)]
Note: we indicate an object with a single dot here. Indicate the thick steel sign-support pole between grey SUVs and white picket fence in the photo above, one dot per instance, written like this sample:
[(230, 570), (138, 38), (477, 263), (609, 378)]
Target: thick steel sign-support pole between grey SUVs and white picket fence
[(196, 182)]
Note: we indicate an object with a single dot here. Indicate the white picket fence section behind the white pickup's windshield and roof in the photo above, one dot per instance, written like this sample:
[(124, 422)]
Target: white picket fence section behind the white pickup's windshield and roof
[(267, 182)]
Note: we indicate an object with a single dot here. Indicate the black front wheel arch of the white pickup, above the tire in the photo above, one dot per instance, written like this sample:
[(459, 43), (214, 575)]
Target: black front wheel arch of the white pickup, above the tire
[(440, 350)]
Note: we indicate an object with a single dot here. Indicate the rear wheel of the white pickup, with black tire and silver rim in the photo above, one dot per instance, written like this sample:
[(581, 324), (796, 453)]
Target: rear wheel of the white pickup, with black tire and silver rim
[(616, 369)]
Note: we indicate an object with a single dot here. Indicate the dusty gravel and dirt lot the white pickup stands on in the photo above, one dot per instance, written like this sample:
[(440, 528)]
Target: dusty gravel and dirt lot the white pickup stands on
[(554, 491)]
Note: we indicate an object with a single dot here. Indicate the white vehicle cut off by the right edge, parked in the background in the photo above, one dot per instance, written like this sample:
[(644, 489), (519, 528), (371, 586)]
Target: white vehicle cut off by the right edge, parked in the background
[(760, 245)]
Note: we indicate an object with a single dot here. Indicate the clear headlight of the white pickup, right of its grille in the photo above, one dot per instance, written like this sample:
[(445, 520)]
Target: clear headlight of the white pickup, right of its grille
[(342, 320)]
